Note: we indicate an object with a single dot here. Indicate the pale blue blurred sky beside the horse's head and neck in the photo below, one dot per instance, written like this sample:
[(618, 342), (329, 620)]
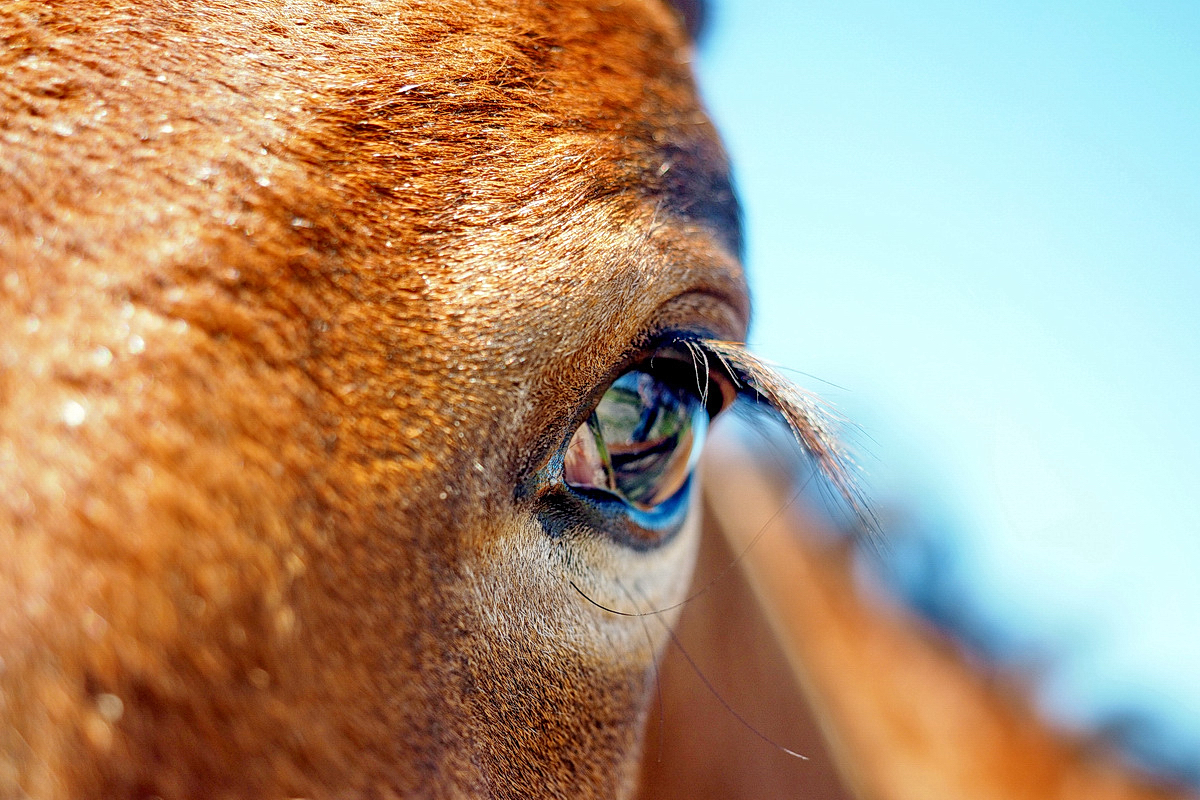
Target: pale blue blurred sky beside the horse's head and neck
[(975, 230)]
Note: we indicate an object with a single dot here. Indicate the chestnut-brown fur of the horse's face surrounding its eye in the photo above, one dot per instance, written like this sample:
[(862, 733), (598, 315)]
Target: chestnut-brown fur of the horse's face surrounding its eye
[(326, 282)]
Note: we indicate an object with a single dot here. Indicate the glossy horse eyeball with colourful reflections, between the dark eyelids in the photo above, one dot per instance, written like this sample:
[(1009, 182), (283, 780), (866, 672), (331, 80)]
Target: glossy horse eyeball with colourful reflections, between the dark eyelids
[(641, 443)]
